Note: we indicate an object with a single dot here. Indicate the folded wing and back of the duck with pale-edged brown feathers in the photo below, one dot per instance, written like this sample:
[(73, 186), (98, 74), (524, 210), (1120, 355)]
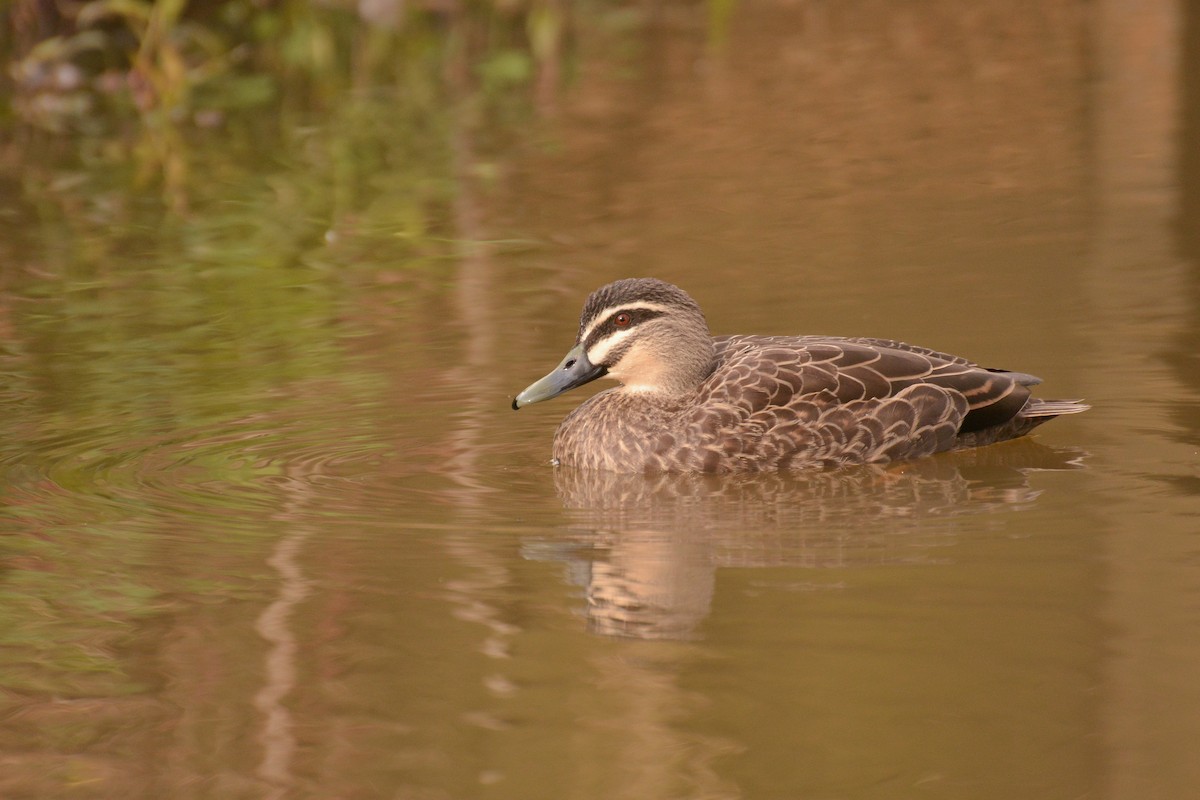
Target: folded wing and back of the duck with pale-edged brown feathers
[(835, 401)]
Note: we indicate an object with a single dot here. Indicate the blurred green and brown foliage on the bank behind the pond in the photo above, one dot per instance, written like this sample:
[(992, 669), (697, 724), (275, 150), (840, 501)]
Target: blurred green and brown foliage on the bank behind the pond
[(143, 82)]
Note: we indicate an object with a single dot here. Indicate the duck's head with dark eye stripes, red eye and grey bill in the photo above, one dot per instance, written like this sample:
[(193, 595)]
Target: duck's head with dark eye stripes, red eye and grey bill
[(645, 333)]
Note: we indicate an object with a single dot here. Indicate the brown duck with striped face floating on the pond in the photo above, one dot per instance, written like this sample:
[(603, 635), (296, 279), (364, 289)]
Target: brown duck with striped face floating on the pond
[(692, 402)]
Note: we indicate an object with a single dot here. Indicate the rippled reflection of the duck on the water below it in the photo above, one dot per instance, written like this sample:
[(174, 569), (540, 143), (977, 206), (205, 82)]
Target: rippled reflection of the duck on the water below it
[(646, 548)]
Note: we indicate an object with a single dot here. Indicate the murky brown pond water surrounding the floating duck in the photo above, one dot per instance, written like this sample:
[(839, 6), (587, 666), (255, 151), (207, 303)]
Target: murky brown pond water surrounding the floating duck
[(269, 527)]
